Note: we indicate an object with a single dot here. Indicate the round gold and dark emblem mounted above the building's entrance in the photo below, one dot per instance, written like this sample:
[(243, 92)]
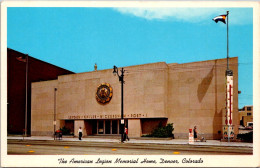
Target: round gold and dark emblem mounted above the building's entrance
[(104, 93)]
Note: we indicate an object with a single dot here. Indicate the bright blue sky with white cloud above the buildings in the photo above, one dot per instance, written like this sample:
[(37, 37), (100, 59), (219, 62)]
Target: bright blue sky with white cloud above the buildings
[(77, 38)]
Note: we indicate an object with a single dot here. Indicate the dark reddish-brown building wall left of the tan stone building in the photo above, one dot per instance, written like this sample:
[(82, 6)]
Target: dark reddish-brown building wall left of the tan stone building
[(16, 87)]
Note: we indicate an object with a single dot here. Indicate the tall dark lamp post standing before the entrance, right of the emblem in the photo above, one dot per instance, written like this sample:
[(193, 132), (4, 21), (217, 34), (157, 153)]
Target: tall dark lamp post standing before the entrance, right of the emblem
[(121, 79)]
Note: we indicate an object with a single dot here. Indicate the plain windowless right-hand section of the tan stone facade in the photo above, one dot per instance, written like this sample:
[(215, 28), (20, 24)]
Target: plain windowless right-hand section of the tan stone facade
[(197, 97)]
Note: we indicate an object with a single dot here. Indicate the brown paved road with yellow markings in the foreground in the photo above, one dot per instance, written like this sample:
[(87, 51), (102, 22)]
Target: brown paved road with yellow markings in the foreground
[(15, 147)]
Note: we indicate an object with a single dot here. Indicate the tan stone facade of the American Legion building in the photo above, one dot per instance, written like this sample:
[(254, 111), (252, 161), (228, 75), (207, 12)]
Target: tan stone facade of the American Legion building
[(183, 94)]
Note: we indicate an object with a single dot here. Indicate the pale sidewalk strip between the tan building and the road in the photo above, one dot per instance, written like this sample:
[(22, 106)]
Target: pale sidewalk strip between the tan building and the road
[(139, 141)]
